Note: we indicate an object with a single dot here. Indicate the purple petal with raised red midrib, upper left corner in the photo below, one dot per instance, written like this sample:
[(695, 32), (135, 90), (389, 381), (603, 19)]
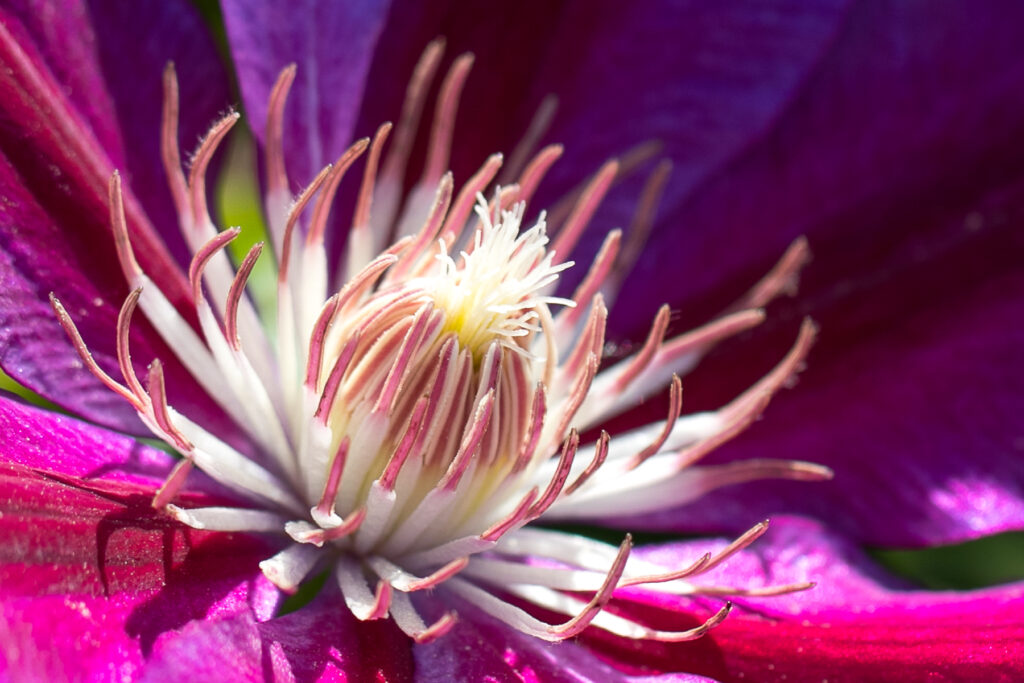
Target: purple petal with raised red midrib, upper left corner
[(55, 232)]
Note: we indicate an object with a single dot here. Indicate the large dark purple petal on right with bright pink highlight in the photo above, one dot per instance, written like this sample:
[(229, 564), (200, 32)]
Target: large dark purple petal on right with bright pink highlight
[(908, 186)]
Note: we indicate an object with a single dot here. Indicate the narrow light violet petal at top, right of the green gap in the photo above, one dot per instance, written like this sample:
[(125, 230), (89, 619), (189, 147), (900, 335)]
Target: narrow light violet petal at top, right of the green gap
[(332, 46)]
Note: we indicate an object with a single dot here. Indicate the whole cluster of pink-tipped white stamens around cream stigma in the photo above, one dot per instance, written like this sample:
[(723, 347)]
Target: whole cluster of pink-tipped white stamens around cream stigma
[(416, 412)]
